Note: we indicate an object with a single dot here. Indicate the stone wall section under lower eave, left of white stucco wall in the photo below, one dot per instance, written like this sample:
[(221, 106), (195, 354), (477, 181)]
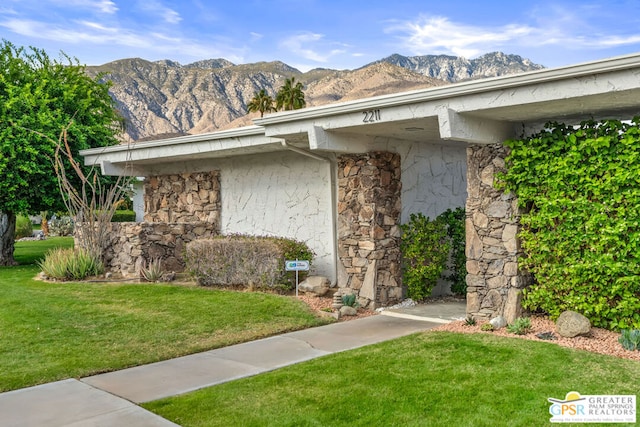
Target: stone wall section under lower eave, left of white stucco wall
[(189, 197)]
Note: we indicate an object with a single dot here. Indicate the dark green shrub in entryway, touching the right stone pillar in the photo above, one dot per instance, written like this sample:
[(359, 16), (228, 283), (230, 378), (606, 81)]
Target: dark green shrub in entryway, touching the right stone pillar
[(455, 221)]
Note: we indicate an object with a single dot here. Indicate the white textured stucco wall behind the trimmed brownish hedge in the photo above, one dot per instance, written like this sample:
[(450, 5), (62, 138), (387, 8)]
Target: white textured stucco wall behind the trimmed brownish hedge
[(284, 194)]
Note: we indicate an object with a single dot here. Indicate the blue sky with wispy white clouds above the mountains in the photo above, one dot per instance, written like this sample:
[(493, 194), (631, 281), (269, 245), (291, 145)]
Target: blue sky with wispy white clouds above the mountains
[(323, 33)]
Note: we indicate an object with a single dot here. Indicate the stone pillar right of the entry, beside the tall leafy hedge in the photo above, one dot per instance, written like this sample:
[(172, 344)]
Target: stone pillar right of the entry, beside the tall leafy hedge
[(494, 282)]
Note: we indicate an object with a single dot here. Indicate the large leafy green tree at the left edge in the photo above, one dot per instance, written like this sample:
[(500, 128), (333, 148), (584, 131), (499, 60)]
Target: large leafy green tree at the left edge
[(38, 98)]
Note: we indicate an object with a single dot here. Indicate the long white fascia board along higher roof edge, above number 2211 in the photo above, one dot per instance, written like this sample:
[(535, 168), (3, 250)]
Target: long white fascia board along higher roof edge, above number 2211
[(502, 83)]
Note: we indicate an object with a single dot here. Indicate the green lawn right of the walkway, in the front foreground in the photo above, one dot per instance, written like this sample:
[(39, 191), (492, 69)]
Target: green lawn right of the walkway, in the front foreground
[(428, 379)]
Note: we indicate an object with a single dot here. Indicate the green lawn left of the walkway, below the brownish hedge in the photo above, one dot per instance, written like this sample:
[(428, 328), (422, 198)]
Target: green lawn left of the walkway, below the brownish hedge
[(51, 331)]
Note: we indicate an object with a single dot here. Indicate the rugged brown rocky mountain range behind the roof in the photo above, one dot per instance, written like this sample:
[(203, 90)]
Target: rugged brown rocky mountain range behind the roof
[(167, 98)]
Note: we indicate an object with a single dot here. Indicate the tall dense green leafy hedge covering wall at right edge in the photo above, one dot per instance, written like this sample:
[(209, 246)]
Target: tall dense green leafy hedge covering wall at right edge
[(577, 187)]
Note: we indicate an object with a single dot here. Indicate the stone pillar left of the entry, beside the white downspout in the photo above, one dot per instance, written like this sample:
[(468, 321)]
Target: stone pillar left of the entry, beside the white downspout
[(369, 207)]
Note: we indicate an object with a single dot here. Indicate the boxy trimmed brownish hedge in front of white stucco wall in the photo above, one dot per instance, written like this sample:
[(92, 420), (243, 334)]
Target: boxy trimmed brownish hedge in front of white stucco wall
[(243, 260)]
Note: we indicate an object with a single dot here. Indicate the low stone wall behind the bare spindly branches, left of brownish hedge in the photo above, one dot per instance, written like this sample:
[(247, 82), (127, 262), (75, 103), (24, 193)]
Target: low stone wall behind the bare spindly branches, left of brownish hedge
[(133, 244)]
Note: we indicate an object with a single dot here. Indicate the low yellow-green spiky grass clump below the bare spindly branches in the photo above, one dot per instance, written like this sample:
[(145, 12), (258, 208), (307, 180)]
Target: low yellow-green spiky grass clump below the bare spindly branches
[(70, 264)]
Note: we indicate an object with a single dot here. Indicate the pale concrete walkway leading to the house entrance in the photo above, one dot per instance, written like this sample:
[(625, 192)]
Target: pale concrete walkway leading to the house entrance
[(110, 399)]
